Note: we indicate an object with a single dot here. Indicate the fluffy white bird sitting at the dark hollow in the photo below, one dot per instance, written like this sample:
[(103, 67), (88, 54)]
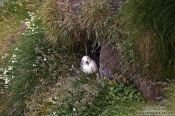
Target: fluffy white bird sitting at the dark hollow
[(88, 65)]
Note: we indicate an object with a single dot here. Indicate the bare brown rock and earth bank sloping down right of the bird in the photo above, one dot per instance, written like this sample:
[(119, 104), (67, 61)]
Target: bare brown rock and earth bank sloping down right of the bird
[(111, 62)]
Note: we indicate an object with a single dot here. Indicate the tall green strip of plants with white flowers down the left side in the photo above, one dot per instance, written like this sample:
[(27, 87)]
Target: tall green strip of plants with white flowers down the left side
[(22, 78)]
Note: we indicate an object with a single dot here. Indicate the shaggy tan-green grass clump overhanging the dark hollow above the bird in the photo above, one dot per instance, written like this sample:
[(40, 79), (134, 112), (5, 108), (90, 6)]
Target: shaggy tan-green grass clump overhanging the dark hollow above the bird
[(72, 26)]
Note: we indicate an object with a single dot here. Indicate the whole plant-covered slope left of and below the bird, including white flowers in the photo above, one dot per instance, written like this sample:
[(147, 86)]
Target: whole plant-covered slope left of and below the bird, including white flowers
[(42, 80)]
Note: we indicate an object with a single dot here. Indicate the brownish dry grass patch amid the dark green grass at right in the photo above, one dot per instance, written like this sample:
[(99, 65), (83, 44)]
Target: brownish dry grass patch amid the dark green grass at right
[(145, 46)]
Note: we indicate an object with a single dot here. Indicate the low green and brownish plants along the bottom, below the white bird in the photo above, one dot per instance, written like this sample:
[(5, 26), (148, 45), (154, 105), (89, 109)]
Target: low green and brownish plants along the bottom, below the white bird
[(83, 95)]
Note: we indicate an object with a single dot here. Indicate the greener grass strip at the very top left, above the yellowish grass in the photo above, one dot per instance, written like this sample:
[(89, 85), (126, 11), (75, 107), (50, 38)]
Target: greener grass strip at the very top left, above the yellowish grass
[(18, 9)]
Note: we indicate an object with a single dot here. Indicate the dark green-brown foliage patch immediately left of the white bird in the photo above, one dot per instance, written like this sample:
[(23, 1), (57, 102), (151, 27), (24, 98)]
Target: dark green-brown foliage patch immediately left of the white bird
[(53, 61)]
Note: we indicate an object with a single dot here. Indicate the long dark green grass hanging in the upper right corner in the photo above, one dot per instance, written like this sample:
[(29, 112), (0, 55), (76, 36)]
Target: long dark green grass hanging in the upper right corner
[(154, 22)]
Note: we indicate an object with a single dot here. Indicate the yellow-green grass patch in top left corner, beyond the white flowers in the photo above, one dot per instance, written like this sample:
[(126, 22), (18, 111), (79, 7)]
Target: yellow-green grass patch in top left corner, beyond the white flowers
[(12, 18)]
